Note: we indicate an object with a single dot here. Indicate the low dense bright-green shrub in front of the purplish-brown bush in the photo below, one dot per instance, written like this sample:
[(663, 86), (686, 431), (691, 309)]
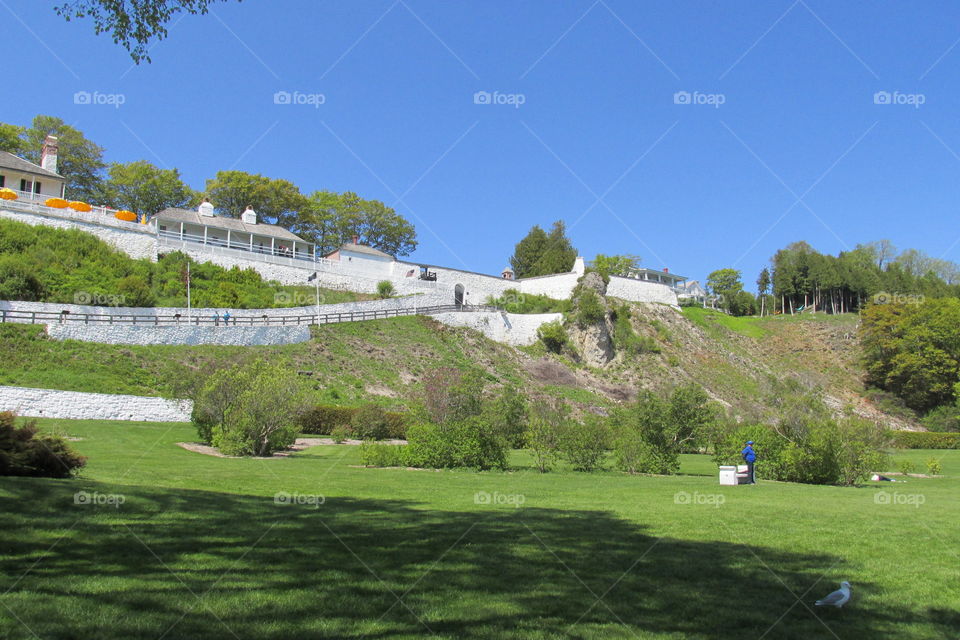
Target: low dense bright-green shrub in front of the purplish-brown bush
[(468, 443)]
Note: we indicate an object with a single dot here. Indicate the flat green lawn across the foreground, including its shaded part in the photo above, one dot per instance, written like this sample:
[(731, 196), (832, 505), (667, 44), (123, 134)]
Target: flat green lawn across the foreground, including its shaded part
[(200, 549)]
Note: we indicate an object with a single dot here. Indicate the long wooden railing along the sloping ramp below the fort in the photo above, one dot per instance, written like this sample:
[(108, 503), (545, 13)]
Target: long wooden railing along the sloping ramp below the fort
[(67, 317)]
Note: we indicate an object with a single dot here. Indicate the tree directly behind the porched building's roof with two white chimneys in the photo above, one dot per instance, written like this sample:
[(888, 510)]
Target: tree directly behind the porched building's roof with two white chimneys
[(232, 191)]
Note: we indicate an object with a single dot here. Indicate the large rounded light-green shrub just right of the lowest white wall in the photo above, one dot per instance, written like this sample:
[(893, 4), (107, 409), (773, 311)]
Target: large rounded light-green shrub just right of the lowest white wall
[(257, 407)]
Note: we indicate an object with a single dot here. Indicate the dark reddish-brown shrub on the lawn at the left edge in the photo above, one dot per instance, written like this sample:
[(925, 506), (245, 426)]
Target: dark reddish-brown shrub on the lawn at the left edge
[(25, 452)]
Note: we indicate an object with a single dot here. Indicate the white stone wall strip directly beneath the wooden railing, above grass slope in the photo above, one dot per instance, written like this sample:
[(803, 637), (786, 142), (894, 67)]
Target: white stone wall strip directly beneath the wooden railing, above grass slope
[(238, 336)]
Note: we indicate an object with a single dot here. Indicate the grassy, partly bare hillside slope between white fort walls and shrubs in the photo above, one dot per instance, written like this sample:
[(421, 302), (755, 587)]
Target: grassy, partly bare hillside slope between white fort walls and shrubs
[(384, 360)]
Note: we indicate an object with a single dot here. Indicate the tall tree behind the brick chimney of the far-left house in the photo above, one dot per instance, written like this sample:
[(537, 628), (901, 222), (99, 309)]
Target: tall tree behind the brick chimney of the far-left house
[(79, 160)]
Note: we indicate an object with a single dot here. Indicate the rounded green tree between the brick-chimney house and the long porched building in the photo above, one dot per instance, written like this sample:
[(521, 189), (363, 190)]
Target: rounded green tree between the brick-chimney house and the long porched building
[(145, 189)]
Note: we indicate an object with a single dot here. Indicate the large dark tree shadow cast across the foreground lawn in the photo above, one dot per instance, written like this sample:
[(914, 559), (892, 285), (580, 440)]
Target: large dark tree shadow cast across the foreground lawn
[(192, 564)]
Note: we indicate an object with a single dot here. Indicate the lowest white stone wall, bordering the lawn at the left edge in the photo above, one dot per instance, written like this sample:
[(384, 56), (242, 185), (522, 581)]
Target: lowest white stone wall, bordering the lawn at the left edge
[(76, 405)]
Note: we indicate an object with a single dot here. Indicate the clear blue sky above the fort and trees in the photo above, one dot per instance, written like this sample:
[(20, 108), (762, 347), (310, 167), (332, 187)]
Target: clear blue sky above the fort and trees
[(779, 136)]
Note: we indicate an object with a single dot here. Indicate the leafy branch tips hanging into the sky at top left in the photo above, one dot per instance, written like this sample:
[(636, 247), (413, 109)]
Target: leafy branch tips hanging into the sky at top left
[(132, 25)]
